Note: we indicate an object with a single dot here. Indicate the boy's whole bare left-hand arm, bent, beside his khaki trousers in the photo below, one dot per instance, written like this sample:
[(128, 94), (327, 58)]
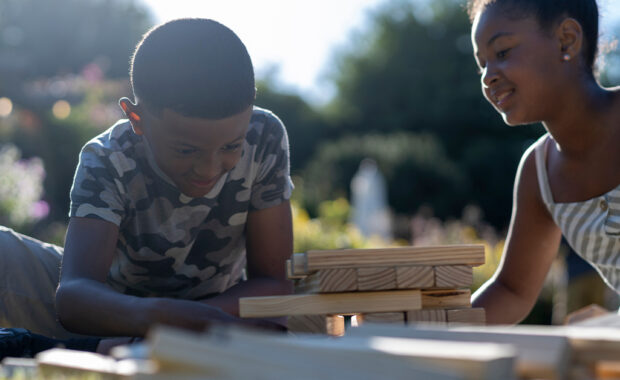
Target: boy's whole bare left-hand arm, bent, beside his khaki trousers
[(87, 305)]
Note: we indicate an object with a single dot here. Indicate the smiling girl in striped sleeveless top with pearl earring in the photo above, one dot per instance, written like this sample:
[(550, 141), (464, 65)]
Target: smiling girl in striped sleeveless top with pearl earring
[(536, 61)]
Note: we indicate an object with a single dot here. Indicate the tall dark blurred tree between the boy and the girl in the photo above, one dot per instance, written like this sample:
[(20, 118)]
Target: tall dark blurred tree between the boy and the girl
[(417, 74)]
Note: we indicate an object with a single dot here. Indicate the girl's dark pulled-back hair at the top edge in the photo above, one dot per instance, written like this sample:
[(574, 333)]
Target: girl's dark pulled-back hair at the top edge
[(548, 13)]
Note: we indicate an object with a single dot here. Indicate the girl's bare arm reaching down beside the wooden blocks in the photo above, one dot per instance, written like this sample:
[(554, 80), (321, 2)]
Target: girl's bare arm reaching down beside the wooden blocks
[(531, 246)]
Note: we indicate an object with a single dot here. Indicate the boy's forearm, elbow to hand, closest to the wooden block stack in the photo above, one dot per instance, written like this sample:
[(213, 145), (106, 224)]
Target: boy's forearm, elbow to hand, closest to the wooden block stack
[(256, 287)]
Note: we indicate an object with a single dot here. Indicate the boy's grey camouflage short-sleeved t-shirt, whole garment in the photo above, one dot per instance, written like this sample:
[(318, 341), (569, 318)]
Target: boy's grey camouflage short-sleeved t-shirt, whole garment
[(171, 245)]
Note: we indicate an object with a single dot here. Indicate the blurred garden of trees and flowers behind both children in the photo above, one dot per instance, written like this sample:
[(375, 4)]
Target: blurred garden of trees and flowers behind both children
[(407, 95)]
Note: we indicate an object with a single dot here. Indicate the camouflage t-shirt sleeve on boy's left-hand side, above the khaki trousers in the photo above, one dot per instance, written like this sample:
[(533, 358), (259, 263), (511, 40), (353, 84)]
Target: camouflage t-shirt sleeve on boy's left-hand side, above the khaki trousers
[(96, 190)]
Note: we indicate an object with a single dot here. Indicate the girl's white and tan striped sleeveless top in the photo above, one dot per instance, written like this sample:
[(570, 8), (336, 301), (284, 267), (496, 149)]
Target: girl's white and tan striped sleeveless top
[(592, 227)]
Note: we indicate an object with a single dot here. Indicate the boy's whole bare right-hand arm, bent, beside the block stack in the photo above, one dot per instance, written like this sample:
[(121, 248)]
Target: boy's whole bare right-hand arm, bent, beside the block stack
[(269, 243)]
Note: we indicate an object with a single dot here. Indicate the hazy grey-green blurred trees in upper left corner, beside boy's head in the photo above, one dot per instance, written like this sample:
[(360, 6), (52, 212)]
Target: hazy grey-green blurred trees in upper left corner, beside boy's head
[(47, 38)]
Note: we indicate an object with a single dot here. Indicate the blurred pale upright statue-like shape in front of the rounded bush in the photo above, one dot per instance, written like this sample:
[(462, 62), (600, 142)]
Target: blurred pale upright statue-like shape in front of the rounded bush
[(370, 212)]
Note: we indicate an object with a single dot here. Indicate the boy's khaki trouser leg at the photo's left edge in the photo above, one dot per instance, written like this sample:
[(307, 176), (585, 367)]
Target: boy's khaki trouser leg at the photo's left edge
[(29, 275)]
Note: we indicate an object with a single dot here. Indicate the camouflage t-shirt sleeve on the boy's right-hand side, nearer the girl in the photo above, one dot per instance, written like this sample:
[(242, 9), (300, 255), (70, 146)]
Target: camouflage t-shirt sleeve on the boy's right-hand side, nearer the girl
[(272, 184)]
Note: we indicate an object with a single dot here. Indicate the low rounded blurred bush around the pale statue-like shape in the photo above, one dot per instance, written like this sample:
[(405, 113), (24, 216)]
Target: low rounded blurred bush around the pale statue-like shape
[(415, 166)]
